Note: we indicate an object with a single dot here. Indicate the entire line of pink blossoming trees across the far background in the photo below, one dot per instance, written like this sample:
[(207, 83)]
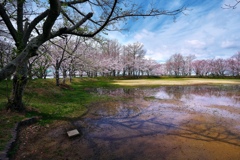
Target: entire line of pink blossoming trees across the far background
[(72, 56)]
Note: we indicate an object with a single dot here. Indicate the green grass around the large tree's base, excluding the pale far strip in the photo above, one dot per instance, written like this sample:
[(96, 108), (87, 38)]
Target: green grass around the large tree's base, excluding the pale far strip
[(49, 102)]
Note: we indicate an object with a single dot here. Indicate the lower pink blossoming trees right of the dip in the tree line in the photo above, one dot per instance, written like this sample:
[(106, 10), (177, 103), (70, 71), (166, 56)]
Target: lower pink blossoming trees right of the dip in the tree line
[(179, 65)]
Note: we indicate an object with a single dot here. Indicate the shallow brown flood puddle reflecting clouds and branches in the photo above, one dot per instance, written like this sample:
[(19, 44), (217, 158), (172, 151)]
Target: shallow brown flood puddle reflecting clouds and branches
[(179, 122)]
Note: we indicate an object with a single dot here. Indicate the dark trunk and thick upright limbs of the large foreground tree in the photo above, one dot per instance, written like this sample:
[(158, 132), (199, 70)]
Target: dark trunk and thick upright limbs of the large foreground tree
[(26, 48)]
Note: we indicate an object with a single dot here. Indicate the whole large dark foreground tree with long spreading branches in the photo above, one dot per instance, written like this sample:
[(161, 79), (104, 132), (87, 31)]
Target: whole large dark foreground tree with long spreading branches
[(29, 28)]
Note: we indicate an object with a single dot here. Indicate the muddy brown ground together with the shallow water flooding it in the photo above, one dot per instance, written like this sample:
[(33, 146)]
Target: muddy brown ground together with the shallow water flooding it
[(195, 126)]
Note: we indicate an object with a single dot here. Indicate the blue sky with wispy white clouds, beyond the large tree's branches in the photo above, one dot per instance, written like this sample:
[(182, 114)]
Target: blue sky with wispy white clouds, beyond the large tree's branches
[(205, 30)]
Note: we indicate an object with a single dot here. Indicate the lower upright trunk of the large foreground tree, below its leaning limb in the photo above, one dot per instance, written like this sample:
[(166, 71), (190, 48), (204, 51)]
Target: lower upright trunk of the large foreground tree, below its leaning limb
[(15, 102)]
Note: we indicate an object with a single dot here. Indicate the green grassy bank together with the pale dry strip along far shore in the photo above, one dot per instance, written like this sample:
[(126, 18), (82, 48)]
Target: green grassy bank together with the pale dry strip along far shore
[(67, 102)]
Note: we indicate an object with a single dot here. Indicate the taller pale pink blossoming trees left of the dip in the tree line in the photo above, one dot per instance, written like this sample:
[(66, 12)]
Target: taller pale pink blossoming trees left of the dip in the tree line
[(71, 56)]
